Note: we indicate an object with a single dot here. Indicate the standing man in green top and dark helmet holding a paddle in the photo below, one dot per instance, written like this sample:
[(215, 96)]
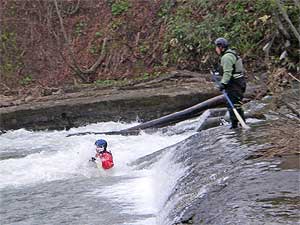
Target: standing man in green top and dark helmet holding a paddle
[(233, 81)]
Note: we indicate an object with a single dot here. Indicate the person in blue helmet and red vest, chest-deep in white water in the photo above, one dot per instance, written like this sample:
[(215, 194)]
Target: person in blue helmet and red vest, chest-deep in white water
[(103, 154)]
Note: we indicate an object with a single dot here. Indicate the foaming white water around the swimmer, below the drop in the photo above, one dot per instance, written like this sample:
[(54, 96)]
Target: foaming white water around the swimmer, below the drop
[(46, 177)]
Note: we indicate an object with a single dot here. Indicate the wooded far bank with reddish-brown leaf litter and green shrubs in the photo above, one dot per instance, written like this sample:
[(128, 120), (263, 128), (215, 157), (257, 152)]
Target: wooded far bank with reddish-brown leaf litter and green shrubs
[(52, 43)]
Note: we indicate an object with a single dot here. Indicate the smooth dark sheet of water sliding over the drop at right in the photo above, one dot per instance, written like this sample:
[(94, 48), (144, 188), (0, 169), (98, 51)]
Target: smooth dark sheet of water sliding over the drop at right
[(223, 186)]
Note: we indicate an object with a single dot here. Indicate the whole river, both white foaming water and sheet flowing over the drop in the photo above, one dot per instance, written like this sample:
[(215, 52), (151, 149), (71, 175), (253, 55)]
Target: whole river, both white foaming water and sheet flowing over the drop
[(168, 176)]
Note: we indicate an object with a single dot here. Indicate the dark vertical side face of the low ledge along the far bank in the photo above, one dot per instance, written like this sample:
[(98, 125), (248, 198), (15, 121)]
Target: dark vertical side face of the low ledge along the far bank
[(61, 115)]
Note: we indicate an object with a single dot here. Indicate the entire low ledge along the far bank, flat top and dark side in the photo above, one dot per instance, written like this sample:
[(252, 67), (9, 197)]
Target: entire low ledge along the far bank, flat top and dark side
[(147, 101)]
